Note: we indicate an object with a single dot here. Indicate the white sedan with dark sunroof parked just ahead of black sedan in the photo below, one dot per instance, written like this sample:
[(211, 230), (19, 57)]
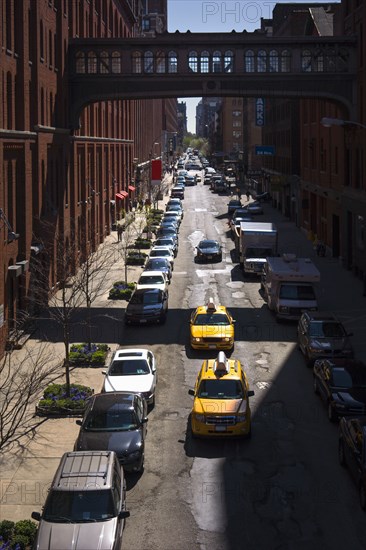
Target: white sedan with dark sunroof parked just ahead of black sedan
[(132, 370)]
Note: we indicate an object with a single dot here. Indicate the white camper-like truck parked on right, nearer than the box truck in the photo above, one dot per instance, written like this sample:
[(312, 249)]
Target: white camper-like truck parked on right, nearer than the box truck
[(289, 285)]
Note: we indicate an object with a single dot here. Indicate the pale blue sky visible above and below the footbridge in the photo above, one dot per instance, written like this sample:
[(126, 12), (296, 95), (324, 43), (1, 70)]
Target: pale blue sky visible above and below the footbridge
[(218, 16)]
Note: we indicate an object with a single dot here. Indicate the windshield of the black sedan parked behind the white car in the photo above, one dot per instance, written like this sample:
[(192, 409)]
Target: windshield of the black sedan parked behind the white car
[(110, 420)]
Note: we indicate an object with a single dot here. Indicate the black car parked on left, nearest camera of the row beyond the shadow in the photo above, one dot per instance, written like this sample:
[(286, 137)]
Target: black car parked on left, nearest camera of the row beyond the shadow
[(147, 305)]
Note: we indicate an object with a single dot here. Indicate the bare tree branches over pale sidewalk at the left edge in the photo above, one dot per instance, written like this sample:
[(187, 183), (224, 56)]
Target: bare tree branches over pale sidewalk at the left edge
[(23, 377)]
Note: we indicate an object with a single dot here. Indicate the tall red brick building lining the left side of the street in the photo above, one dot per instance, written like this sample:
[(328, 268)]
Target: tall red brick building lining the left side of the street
[(51, 177)]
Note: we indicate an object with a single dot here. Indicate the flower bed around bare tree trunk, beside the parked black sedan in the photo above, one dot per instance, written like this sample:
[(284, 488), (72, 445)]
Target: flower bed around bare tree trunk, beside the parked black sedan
[(55, 402)]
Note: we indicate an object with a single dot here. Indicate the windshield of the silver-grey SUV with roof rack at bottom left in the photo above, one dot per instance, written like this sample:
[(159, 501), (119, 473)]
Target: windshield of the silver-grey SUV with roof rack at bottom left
[(70, 506)]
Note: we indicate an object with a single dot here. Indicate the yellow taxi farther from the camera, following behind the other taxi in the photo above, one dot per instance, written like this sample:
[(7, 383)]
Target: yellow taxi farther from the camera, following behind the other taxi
[(212, 327)]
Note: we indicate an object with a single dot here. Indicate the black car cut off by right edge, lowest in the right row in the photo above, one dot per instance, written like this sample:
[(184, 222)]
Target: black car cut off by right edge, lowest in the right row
[(352, 452)]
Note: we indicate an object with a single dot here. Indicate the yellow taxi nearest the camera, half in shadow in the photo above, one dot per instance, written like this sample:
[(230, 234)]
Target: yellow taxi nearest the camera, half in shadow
[(221, 400)]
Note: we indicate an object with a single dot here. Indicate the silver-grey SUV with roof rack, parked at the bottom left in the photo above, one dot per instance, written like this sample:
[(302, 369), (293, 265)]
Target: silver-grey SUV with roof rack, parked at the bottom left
[(85, 506)]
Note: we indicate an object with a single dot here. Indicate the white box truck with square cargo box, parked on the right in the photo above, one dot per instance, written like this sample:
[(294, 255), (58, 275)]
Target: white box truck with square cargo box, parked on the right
[(257, 241)]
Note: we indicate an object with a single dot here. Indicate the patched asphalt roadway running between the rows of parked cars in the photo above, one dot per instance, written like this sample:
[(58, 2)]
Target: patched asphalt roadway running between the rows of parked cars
[(284, 488)]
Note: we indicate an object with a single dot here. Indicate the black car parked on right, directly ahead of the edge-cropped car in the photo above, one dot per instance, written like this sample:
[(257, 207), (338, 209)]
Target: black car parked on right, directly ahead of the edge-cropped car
[(341, 383)]
